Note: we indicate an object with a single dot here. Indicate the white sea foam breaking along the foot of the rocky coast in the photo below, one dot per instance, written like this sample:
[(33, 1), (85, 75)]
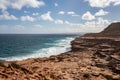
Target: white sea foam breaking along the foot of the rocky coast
[(59, 46)]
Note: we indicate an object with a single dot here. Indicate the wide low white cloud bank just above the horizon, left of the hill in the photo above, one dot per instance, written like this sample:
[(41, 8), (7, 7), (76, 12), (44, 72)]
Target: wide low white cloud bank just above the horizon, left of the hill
[(90, 26)]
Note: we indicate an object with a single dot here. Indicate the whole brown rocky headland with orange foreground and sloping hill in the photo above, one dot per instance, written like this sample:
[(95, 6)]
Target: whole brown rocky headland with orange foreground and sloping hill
[(94, 56)]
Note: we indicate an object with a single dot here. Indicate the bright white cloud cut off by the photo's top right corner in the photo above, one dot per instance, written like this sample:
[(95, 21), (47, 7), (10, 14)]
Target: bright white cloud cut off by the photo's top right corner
[(103, 3)]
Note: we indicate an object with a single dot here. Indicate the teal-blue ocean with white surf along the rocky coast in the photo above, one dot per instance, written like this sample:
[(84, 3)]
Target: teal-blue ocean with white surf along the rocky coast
[(24, 46)]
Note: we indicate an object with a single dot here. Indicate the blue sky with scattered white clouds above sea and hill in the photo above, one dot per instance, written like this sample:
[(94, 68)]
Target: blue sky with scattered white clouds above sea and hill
[(57, 16)]
